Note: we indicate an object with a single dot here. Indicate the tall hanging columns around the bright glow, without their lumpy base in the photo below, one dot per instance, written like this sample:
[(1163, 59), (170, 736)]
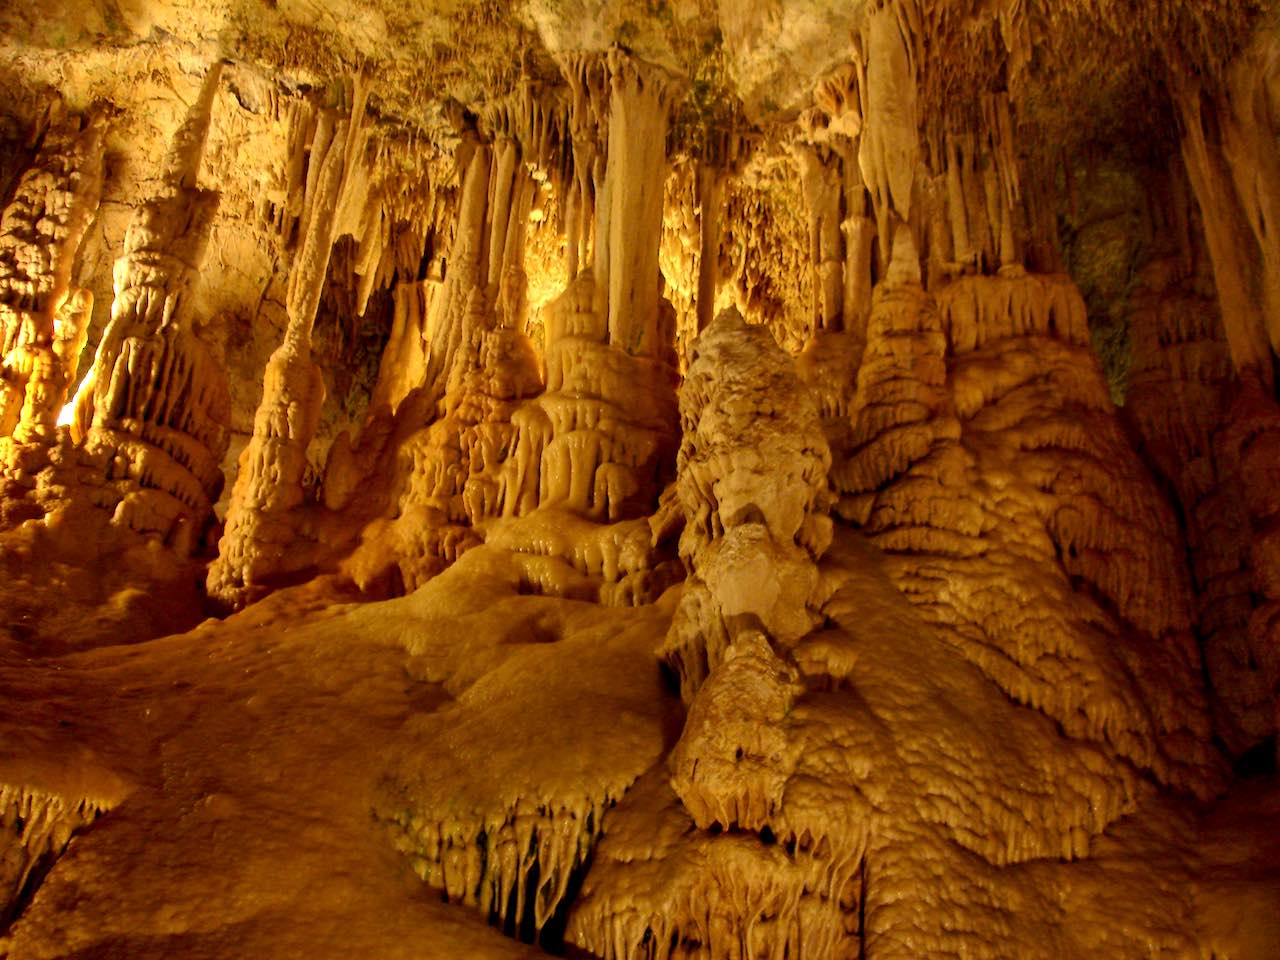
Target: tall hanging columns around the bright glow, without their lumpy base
[(615, 107)]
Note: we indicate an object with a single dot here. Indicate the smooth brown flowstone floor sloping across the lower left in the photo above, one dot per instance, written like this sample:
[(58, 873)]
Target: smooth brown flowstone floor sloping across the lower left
[(246, 766)]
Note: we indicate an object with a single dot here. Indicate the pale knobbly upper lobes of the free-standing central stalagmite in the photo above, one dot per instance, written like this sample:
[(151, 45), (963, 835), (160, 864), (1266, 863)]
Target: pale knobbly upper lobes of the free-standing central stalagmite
[(749, 541)]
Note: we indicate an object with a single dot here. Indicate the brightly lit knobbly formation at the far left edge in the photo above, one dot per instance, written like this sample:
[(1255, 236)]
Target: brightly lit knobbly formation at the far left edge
[(44, 321)]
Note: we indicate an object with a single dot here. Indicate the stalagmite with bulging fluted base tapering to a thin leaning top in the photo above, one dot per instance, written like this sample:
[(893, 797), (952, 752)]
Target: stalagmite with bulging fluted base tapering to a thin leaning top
[(153, 412)]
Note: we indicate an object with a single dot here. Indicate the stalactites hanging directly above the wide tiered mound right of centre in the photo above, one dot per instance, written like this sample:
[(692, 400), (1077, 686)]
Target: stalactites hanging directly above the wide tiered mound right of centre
[(880, 177)]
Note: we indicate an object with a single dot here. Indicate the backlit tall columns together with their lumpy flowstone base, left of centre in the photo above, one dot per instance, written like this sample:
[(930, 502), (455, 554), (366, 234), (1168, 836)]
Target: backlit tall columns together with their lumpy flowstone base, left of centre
[(496, 445)]
